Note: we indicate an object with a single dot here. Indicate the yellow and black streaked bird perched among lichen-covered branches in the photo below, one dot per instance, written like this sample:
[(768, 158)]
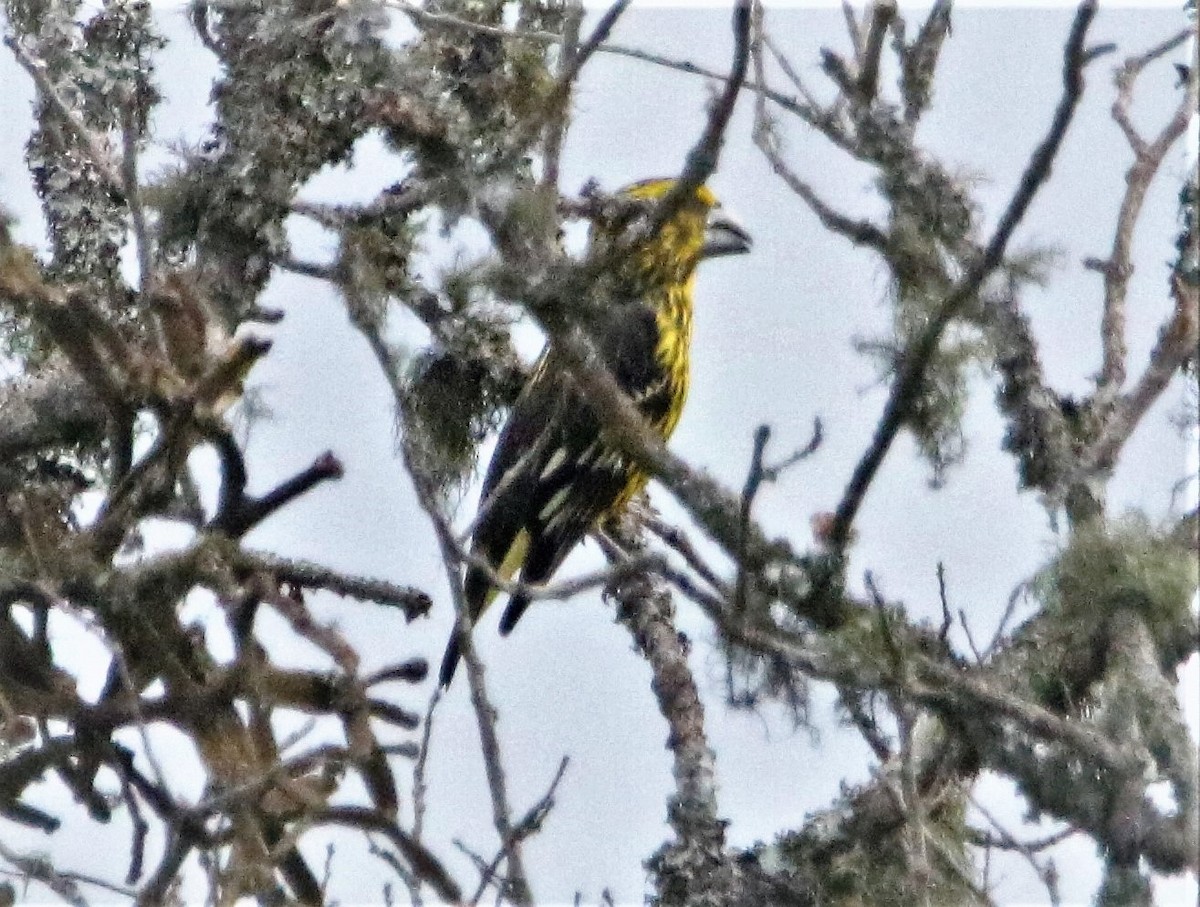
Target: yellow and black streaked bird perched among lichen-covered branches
[(555, 476)]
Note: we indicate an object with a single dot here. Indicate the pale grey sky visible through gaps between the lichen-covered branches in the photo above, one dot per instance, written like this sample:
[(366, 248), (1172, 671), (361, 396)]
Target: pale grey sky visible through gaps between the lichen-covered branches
[(773, 345)]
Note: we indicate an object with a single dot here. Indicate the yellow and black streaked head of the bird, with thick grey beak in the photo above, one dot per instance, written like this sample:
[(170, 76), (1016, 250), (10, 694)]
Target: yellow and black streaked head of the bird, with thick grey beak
[(700, 229)]
